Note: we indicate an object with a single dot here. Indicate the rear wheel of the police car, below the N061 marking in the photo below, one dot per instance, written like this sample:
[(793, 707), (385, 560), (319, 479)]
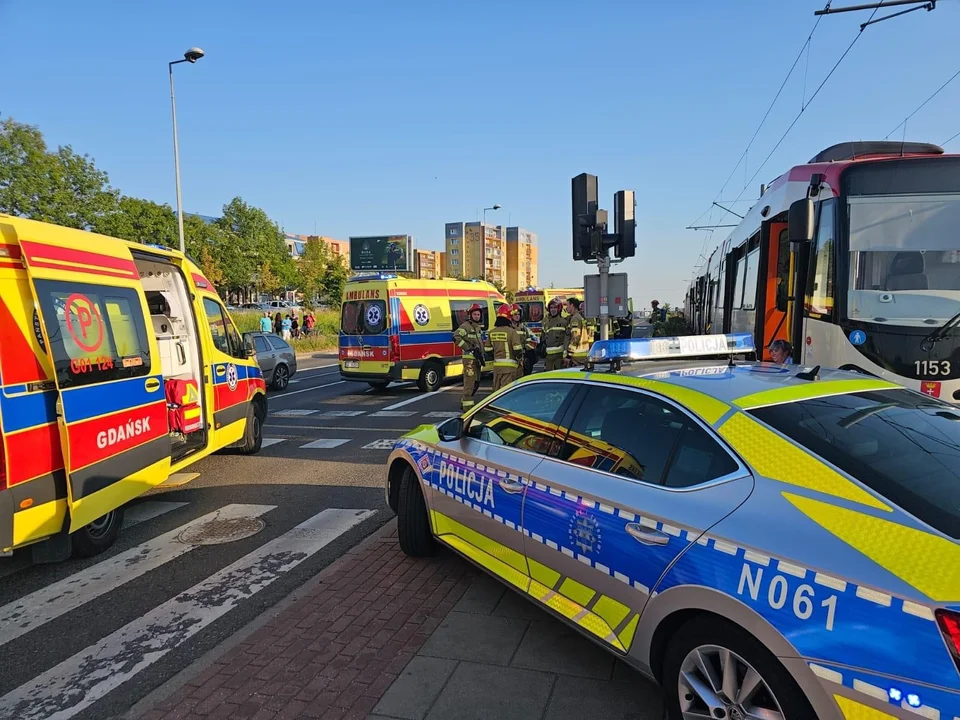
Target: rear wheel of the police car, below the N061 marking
[(713, 668)]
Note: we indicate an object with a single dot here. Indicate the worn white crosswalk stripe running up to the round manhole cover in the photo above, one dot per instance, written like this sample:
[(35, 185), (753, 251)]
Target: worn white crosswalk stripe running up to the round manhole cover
[(50, 602)]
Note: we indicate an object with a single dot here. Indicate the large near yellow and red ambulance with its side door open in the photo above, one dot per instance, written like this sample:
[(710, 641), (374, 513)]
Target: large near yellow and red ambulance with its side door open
[(119, 368)]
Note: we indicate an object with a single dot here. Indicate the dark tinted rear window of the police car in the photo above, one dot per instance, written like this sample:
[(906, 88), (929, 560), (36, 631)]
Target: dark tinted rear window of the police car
[(903, 445)]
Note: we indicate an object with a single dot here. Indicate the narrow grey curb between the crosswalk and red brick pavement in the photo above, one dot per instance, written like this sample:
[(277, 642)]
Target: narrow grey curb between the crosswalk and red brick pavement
[(168, 688)]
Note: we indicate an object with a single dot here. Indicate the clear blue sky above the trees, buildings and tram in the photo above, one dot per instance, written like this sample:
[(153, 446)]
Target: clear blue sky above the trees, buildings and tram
[(387, 117)]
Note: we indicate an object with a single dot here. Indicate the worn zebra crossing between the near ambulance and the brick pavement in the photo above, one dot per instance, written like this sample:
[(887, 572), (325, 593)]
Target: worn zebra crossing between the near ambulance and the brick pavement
[(73, 682)]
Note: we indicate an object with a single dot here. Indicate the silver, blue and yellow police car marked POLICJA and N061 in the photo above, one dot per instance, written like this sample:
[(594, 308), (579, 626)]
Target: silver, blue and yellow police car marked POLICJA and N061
[(764, 541)]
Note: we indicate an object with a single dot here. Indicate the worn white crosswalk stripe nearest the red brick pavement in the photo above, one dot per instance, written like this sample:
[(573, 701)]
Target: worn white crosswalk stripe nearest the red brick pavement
[(78, 682)]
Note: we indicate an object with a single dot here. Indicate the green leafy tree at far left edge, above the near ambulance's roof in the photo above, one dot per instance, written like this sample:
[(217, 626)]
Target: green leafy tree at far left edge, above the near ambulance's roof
[(59, 187)]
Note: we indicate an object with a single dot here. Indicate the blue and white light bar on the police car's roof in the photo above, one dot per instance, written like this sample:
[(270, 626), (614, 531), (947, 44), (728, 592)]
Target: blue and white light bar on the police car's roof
[(660, 348)]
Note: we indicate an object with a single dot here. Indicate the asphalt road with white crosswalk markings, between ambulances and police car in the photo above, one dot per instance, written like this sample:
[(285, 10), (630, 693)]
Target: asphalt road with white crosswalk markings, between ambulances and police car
[(89, 638)]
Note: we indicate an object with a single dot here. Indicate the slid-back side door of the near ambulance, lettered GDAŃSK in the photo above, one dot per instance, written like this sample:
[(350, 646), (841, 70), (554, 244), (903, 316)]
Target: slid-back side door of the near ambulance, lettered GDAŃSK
[(111, 409)]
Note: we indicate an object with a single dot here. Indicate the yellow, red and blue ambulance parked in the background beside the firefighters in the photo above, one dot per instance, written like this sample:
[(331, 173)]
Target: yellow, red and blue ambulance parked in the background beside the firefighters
[(394, 328)]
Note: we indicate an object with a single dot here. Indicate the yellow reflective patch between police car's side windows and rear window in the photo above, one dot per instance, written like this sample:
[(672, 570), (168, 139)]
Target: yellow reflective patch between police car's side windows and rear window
[(779, 459)]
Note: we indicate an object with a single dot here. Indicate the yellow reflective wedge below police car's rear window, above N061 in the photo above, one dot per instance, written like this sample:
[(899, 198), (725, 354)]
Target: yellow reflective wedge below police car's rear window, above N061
[(926, 561)]
